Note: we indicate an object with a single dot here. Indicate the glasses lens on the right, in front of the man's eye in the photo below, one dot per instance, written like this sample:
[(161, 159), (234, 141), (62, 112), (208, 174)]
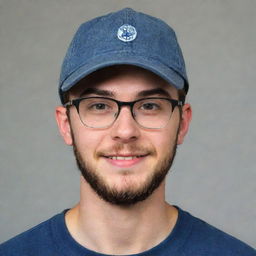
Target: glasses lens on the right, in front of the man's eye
[(152, 113)]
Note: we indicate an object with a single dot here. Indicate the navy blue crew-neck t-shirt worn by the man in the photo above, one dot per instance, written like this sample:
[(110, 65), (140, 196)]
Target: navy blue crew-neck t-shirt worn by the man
[(190, 237)]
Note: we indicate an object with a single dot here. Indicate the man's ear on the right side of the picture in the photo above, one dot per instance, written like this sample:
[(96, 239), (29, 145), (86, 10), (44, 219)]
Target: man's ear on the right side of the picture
[(184, 124)]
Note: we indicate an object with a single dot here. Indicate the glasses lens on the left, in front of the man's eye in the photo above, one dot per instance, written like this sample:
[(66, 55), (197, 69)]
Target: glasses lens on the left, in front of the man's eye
[(97, 112)]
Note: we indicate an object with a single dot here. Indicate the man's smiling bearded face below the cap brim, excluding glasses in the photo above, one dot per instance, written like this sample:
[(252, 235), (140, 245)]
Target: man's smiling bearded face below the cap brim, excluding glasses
[(124, 163)]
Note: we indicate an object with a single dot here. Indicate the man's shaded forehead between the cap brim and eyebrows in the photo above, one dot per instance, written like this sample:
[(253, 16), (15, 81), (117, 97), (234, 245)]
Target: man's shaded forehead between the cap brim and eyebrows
[(123, 80)]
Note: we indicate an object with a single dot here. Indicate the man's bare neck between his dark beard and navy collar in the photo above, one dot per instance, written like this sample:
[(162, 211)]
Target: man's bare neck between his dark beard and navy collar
[(111, 229)]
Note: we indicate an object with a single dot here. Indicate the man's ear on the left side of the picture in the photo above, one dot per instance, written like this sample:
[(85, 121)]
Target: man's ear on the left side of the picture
[(63, 124)]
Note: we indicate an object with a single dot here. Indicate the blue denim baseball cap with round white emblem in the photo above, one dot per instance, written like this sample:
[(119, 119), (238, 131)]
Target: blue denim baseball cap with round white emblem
[(124, 37)]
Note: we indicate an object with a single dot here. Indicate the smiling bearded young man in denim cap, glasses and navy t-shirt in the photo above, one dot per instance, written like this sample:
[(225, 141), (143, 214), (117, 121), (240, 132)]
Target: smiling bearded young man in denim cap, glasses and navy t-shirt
[(123, 85)]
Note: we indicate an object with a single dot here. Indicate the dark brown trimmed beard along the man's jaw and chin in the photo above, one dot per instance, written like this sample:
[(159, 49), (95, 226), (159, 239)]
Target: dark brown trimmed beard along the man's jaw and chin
[(129, 196)]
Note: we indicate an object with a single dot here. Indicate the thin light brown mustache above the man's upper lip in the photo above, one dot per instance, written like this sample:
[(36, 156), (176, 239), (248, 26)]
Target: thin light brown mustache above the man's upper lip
[(120, 148)]
